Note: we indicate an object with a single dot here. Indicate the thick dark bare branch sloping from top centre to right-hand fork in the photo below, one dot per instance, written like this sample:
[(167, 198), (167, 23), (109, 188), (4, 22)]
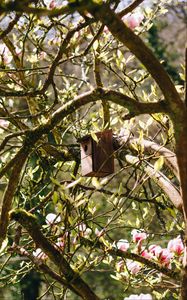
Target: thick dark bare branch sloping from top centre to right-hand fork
[(135, 44)]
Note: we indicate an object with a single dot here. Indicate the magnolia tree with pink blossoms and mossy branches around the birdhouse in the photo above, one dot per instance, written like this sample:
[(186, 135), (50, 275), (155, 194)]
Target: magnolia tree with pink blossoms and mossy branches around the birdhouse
[(69, 70)]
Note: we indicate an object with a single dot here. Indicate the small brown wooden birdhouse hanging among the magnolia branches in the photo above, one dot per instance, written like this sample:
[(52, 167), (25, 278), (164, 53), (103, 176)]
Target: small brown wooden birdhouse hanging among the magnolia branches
[(97, 158)]
